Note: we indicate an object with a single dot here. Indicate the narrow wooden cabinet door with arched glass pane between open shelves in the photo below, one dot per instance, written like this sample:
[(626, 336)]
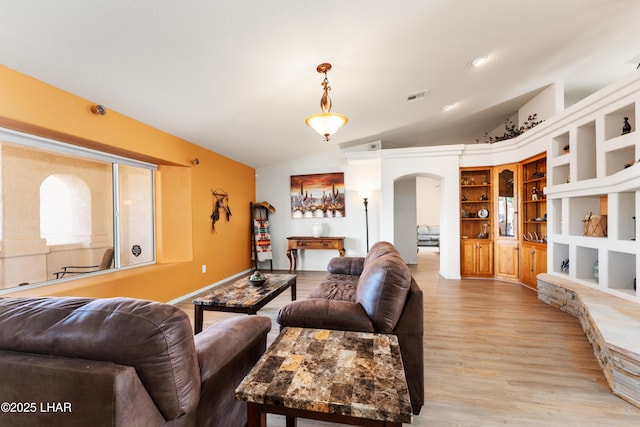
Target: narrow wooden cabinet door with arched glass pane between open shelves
[(506, 220)]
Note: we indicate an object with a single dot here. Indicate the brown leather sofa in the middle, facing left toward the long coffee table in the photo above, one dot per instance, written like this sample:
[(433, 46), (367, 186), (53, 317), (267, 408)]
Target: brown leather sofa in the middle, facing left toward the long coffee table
[(376, 293)]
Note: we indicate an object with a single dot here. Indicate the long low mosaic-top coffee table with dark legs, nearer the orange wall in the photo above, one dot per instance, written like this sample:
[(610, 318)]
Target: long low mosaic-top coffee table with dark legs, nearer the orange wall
[(241, 297)]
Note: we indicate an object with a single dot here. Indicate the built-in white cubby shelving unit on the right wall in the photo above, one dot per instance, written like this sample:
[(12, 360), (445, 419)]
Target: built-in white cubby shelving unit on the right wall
[(592, 169)]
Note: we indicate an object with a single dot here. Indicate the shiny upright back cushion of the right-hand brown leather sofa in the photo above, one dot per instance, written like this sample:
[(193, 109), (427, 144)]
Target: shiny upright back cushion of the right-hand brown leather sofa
[(382, 290)]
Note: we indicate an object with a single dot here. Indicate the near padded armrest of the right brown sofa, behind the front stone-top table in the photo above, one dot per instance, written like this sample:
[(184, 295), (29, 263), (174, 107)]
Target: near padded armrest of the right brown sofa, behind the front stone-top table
[(325, 314)]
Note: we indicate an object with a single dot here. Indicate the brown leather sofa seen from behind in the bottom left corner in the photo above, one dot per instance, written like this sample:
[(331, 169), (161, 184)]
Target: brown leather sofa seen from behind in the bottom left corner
[(121, 362)]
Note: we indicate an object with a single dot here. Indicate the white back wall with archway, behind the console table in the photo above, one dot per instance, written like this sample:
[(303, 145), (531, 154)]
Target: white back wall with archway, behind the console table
[(376, 172)]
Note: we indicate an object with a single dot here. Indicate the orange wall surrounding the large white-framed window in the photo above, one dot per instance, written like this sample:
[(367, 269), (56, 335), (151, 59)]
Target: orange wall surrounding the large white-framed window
[(185, 239)]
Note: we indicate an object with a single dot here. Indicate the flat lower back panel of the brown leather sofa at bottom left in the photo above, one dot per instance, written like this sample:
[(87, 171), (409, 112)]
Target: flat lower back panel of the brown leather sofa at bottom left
[(88, 392)]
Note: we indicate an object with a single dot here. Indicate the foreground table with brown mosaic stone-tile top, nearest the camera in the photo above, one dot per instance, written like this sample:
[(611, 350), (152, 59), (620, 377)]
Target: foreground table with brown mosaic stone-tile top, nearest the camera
[(344, 377)]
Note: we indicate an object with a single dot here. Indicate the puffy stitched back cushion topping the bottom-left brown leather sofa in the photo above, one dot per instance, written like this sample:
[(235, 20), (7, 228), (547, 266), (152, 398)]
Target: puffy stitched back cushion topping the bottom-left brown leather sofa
[(154, 338)]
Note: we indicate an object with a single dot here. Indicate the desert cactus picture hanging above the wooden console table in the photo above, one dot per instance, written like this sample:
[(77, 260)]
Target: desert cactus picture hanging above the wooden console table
[(317, 195)]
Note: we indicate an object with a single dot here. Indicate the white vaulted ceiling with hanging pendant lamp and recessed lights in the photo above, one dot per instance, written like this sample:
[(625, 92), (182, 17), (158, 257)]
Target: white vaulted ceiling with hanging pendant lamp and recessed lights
[(238, 77)]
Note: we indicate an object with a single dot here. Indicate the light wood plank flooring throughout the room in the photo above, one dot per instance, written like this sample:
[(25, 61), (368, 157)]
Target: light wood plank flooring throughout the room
[(494, 356)]
